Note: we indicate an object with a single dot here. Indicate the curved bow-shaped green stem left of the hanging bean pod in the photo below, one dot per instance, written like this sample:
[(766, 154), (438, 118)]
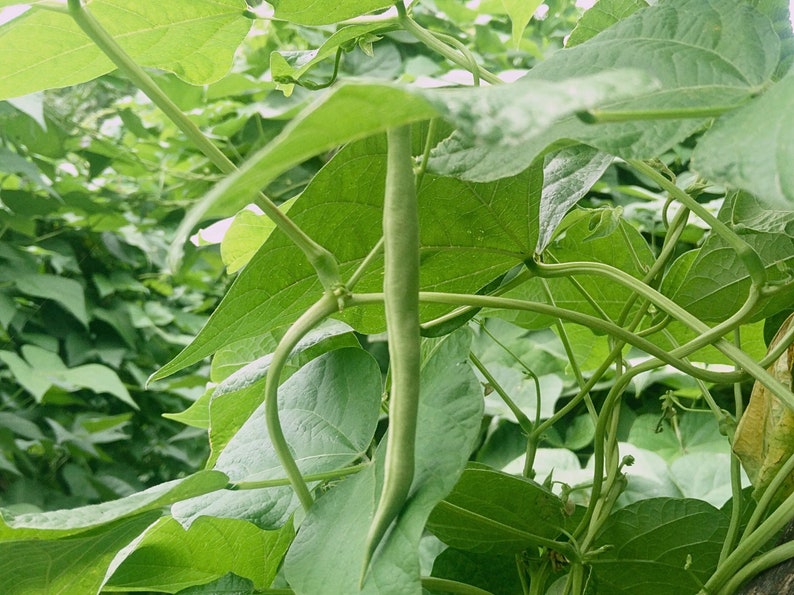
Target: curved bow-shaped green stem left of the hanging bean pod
[(323, 308)]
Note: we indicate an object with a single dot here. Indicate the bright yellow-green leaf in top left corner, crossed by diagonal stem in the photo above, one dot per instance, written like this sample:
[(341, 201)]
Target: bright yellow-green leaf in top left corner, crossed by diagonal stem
[(195, 39)]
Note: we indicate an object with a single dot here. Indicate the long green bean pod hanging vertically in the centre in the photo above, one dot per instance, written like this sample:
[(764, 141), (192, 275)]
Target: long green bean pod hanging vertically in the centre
[(401, 299)]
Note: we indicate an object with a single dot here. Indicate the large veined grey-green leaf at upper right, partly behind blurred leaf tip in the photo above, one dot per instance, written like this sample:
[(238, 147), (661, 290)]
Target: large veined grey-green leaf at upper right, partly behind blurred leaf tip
[(706, 54)]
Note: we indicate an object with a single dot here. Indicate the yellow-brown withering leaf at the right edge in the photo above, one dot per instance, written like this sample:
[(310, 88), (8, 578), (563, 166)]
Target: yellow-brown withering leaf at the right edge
[(764, 438)]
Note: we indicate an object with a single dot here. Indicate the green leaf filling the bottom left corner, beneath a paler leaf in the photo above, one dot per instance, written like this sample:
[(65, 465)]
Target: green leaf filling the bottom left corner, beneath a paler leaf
[(72, 565)]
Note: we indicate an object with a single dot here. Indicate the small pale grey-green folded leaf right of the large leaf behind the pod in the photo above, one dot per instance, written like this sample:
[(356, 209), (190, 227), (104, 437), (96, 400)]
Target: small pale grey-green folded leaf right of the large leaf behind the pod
[(568, 174)]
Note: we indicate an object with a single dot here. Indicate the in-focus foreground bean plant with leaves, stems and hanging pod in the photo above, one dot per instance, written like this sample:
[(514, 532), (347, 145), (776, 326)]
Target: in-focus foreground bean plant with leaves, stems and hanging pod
[(444, 219)]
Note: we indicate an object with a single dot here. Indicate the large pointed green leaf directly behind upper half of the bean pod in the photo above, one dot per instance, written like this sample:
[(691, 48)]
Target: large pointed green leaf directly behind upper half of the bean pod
[(470, 234)]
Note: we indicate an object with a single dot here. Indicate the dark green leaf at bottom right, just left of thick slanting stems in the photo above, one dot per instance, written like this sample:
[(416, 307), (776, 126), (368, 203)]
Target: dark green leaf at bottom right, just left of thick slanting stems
[(660, 546)]
